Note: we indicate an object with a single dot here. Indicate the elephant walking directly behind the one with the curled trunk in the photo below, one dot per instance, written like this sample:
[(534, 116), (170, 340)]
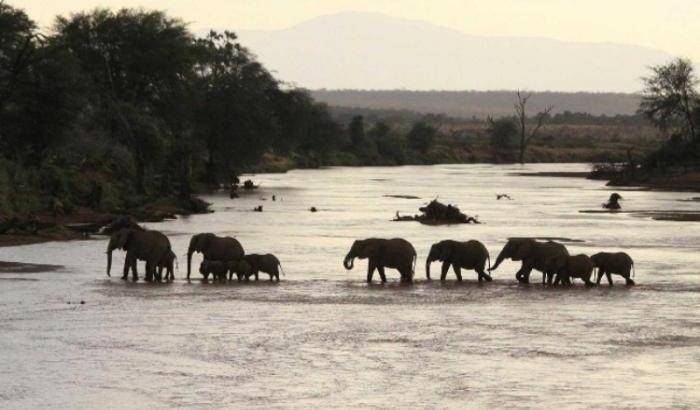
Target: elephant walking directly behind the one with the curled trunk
[(468, 255)]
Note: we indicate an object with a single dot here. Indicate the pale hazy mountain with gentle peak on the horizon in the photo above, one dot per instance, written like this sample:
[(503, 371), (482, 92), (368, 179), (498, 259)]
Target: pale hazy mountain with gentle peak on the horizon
[(357, 50)]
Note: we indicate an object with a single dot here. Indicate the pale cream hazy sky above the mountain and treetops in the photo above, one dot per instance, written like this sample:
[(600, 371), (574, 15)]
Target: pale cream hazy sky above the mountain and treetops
[(669, 25)]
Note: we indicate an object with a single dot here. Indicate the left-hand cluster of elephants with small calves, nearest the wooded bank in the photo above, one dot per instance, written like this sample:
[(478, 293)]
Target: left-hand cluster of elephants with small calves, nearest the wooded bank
[(223, 256)]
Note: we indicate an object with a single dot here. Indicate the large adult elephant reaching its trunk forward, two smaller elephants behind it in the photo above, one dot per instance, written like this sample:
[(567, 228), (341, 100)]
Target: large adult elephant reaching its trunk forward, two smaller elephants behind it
[(534, 255)]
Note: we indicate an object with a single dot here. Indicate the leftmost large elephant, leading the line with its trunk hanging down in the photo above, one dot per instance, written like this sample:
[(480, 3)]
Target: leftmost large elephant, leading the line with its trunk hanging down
[(150, 246)]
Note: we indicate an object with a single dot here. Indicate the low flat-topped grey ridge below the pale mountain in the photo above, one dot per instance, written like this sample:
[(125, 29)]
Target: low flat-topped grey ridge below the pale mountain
[(480, 104)]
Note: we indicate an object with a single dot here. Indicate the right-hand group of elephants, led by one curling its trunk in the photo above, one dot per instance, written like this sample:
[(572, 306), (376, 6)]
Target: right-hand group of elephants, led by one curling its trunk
[(550, 258)]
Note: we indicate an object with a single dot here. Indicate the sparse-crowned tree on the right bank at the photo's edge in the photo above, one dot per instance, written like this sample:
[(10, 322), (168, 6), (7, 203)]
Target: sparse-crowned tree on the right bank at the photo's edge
[(670, 97)]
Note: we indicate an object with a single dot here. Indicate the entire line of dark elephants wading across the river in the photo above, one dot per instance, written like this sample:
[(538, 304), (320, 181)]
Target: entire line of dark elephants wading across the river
[(224, 257)]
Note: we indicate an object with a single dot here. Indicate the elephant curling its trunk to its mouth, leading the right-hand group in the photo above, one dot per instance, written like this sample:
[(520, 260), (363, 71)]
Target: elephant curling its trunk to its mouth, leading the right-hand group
[(394, 253)]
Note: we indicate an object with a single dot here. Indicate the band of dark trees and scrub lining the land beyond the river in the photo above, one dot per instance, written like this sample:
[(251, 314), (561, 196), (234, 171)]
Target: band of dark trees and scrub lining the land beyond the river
[(126, 111)]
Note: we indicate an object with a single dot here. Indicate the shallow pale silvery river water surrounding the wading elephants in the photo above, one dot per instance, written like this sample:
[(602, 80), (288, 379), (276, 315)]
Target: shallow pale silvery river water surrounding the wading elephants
[(323, 338)]
